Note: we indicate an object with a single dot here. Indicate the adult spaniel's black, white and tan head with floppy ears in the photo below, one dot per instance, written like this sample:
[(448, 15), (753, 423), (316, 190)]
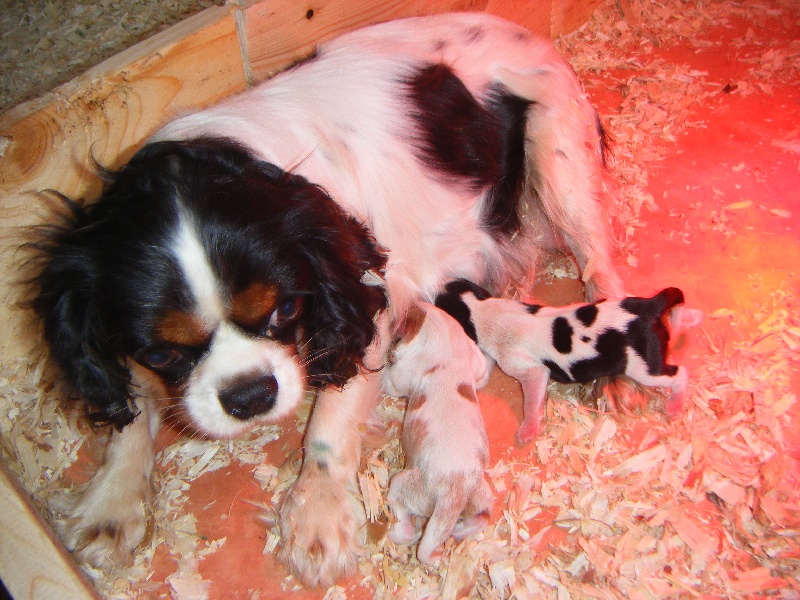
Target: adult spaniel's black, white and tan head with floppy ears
[(233, 282)]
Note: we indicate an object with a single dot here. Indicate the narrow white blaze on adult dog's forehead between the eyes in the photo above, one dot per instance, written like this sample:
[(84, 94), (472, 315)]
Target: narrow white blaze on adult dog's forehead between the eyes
[(197, 271)]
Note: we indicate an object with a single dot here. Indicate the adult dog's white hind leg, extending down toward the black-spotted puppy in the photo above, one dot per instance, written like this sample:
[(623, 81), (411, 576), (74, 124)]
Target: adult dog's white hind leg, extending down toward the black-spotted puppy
[(564, 146)]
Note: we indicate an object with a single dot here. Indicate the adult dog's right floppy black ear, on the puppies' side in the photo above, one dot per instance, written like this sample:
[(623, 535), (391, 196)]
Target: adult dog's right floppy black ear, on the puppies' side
[(340, 323)]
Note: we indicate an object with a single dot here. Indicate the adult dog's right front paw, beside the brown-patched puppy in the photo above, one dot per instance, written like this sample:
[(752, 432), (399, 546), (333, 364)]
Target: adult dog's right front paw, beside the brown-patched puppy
[(321, 521)]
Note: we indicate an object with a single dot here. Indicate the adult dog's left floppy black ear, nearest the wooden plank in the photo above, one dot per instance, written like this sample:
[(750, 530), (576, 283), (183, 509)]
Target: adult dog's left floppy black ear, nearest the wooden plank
[(68, 303)]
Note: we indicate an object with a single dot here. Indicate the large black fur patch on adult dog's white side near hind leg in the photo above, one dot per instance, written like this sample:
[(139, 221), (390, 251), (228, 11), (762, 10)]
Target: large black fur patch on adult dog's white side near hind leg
[(484, 146)]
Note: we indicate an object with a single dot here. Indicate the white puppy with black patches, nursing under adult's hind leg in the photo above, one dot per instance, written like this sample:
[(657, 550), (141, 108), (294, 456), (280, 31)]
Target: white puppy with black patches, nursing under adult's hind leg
[(574, 344)]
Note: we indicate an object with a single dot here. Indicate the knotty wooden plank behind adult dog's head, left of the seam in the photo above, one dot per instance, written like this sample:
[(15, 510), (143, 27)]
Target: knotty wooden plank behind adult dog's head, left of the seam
[(102, 116)]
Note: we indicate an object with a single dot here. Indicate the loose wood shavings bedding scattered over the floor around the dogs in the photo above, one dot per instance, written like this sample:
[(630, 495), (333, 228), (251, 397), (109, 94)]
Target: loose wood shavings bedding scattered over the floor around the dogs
[(604, 504)]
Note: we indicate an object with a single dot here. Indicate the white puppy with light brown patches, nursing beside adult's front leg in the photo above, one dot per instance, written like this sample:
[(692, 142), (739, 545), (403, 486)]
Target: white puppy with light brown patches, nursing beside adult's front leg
[(444, 438)]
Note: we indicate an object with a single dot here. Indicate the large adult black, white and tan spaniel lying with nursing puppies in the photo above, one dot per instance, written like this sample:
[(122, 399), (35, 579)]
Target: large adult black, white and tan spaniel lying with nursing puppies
[(270, 243)]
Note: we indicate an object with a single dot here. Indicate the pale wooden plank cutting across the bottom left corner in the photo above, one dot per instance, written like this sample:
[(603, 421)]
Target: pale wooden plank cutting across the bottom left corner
[(33, 565)]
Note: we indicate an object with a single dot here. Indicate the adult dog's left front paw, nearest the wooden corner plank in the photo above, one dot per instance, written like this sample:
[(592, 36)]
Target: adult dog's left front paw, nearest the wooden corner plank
[(105, 528)]
